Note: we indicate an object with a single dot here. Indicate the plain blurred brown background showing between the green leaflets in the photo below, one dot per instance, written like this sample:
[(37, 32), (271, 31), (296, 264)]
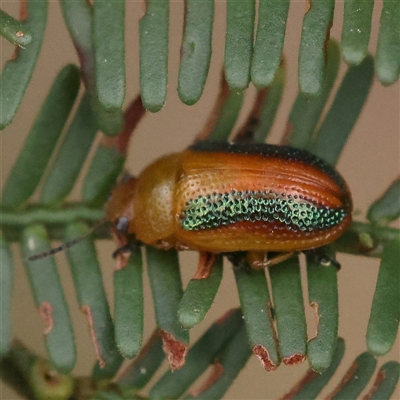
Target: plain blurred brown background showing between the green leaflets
[(369, 163)]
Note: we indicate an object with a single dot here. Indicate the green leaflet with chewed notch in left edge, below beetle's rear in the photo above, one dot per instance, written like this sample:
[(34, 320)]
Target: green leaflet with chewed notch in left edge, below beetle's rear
[(323, 298)]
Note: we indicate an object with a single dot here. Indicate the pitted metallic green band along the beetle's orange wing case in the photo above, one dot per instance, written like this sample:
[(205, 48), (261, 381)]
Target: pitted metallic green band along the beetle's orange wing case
[(295, 212)]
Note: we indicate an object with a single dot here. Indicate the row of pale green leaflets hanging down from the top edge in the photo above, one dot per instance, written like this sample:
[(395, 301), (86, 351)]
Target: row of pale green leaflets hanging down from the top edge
[(253, 48)]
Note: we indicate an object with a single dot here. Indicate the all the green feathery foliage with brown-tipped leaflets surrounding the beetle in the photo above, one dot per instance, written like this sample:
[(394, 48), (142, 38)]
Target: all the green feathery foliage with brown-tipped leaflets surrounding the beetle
[(271, 323)]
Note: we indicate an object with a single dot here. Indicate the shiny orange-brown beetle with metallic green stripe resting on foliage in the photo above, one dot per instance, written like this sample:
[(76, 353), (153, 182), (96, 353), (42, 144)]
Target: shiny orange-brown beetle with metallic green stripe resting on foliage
[(219, 197)]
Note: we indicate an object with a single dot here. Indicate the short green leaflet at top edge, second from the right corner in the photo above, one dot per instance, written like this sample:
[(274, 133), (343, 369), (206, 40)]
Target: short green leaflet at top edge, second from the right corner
[(356, 29)]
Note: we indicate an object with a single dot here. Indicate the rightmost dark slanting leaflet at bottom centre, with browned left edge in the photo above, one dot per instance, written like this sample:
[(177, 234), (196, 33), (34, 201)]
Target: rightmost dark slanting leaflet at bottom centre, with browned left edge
[(232, 360)]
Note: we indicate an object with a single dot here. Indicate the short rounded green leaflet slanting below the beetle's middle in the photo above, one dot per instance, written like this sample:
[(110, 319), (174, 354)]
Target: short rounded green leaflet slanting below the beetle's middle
[(199, 296)]
